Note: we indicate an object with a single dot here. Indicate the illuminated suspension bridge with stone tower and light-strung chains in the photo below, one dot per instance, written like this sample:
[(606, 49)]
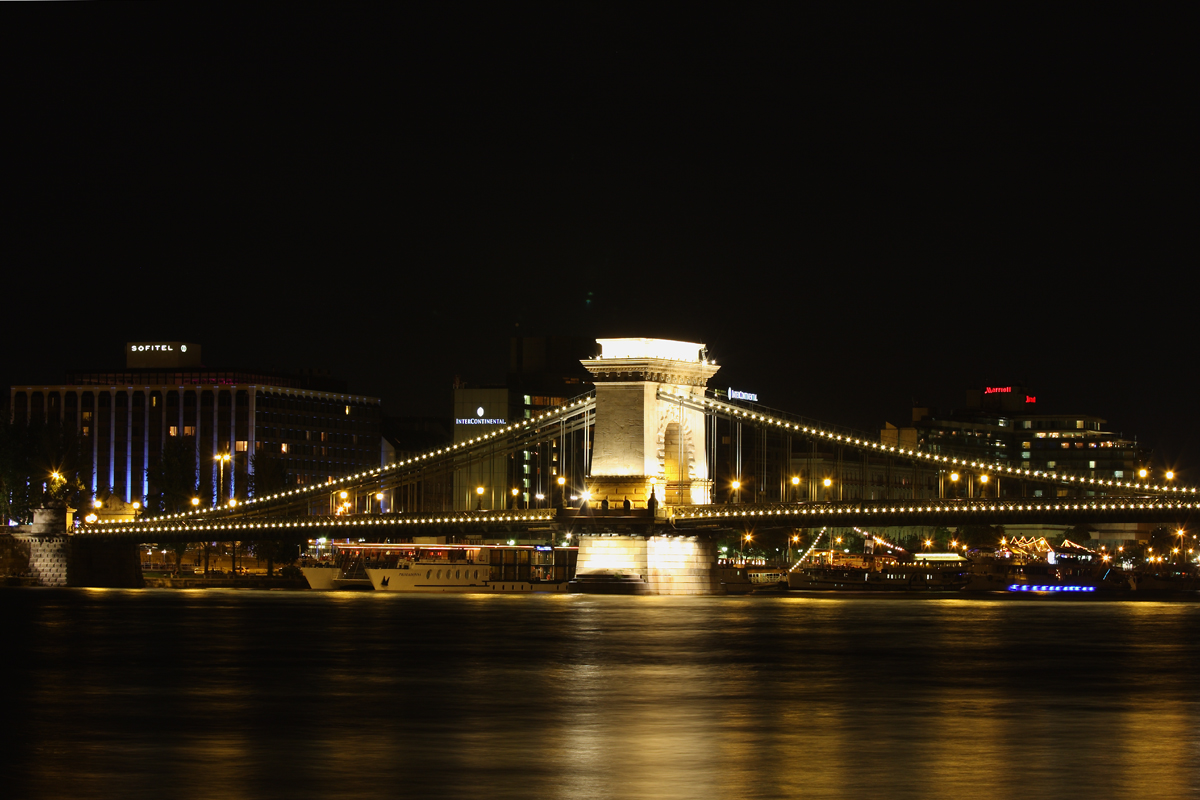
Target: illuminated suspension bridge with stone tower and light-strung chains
[(653, 455)]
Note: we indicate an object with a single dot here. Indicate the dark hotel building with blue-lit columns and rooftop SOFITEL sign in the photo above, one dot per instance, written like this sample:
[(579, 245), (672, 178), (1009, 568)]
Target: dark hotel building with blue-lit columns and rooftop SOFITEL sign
[(127, 418)]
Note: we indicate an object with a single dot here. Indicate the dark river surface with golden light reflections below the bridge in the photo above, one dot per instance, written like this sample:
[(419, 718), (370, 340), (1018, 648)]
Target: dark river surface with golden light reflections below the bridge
[(223, 694)]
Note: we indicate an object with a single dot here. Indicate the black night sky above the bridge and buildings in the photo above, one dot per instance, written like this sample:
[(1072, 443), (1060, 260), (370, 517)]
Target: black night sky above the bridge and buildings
[(853, 218)]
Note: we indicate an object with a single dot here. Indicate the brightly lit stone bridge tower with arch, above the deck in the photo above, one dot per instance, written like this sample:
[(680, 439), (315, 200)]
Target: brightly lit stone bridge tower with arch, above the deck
[(640, 434)]
